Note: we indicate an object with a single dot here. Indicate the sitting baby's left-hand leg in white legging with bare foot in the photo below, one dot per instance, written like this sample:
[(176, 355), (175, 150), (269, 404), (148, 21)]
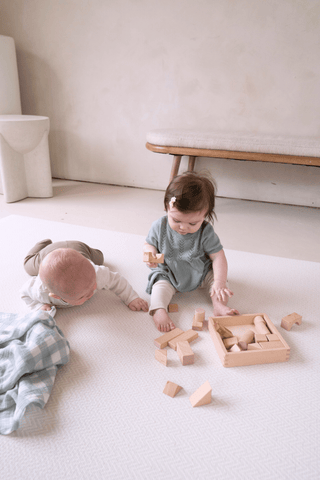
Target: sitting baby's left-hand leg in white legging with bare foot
[(161, 295)]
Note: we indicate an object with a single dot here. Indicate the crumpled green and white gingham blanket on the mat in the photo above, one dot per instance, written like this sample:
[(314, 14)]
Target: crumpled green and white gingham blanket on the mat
[(32, 348)]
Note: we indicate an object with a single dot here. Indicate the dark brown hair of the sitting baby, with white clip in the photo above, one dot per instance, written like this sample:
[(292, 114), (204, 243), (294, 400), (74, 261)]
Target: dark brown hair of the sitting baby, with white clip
[(193, 192)]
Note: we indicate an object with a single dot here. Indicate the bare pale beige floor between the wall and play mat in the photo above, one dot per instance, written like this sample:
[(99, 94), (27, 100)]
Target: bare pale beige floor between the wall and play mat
[(270, 229)]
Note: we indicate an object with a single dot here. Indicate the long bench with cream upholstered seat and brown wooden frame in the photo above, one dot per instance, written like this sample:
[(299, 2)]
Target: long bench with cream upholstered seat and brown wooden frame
[(254, 147)]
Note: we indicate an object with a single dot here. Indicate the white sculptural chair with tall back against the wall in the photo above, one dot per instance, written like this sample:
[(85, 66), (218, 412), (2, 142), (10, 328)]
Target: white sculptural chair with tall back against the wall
[(24, 152)]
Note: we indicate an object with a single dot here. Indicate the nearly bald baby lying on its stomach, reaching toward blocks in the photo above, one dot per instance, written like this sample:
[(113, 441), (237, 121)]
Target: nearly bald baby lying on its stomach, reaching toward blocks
[(65, 274)]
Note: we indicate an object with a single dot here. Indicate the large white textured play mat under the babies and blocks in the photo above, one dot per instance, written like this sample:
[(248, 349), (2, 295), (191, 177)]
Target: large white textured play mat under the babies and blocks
[(107, 417)]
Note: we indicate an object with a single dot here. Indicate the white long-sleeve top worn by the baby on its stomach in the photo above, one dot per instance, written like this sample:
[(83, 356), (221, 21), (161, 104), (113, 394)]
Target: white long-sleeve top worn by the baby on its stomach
[(35, 294)]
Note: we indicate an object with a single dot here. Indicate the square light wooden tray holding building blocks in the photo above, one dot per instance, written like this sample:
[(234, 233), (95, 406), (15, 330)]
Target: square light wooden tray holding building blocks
[(238, 324)]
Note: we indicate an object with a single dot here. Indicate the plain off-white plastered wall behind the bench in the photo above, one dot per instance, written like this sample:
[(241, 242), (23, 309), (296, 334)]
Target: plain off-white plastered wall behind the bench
[(107, 71)]
